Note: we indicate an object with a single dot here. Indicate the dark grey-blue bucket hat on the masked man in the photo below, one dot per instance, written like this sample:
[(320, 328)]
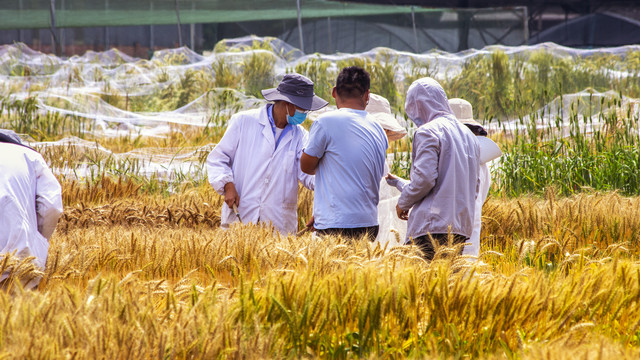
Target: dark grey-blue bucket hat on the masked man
[(296, 89)]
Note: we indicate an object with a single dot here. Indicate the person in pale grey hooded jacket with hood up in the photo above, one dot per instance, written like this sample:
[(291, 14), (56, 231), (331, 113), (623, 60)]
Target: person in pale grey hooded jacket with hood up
[(444, 171)]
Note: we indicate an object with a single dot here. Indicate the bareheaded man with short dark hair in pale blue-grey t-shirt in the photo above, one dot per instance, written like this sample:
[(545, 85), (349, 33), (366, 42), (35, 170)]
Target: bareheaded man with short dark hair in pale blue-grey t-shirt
[(346, 152)]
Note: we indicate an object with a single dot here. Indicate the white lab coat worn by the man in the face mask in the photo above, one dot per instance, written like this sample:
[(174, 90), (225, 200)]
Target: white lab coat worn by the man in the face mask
[(266, 178)]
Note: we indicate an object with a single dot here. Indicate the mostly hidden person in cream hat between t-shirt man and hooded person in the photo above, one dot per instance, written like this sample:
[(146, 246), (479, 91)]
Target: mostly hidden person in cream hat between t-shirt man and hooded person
[(391, 228)]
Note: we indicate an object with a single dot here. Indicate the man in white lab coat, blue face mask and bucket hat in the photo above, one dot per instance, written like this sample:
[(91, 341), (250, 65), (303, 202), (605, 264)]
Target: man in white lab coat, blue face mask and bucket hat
[(256, 164)]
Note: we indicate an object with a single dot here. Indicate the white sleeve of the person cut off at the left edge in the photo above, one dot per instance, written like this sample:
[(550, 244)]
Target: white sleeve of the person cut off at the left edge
[(48, 198)]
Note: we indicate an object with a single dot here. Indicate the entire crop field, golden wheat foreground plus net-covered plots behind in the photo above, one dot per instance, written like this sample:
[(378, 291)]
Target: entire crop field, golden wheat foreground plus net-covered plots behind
[(139, 268)]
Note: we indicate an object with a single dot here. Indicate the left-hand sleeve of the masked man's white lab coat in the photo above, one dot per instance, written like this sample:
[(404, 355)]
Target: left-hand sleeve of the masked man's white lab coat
[(221, 158)]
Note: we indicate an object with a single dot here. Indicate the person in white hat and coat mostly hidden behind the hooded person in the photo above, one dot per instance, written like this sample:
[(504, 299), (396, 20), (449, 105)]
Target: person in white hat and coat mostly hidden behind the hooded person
[(489, 150)]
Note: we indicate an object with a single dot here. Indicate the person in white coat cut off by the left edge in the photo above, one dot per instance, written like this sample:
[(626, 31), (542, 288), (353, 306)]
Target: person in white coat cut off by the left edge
[(30, 203)]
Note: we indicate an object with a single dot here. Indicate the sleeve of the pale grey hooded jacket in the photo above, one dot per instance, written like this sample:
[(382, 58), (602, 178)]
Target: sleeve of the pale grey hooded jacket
[(424, 170)]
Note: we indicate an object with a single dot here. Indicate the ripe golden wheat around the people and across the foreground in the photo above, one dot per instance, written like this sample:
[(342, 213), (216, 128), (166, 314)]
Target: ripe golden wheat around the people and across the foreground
[(133, 275)]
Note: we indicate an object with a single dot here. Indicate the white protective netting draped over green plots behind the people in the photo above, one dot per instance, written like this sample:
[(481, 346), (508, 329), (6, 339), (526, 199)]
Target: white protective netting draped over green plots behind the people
[(109, 94)]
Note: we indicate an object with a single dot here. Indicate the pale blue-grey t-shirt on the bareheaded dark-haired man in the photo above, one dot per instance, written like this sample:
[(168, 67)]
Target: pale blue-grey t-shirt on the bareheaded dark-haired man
[(352, 149)]
